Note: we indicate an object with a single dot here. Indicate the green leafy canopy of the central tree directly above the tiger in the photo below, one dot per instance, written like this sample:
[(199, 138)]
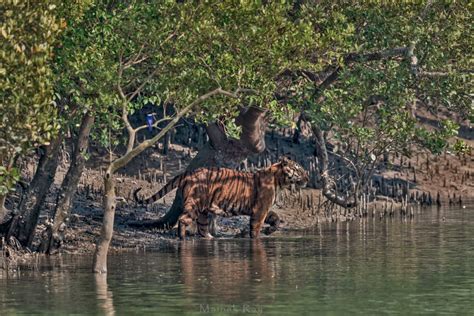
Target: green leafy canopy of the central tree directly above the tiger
[(180, 51)]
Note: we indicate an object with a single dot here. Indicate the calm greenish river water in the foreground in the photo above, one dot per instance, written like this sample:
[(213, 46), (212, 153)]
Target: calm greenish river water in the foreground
[(424, 266)]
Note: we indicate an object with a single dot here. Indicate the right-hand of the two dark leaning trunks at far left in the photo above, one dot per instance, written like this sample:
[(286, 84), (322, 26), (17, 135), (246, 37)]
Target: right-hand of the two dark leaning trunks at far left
[(69, 186)]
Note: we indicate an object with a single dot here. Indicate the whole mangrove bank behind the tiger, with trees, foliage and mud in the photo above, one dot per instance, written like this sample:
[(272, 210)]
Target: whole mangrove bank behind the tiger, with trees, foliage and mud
[(371, 98)]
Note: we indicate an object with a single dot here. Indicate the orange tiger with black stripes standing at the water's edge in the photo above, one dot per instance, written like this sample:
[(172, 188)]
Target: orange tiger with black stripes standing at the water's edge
[(228, 192)]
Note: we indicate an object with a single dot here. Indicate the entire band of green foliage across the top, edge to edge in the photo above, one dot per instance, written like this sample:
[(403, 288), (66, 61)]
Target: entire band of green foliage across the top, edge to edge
[(114, 57)]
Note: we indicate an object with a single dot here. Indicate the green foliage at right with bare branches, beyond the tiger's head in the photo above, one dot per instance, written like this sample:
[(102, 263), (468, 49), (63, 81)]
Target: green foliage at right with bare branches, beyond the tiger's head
[(370, 108)]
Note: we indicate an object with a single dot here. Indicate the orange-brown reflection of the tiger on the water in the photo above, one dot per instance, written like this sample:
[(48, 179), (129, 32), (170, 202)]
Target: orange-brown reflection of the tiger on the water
[(226, 269)]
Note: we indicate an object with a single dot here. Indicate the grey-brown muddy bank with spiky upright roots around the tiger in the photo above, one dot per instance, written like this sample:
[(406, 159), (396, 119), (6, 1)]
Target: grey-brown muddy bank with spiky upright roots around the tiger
[(447, 175)]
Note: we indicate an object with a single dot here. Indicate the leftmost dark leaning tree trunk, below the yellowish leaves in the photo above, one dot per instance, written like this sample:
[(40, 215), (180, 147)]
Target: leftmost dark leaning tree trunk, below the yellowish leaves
[(24, 222)]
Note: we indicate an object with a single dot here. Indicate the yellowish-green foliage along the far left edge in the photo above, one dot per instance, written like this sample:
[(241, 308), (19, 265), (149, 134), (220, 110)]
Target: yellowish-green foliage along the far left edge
[(27, 112)]
